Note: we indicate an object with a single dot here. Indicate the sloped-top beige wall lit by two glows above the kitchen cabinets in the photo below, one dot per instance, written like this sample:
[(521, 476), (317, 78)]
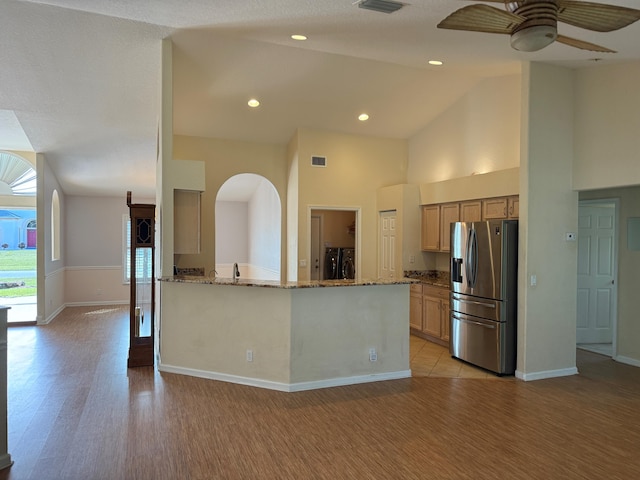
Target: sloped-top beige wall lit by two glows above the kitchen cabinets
[(479, 133)]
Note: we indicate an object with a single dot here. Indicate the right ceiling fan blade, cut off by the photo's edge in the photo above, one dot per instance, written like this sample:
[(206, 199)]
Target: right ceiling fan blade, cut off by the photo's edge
[(596, 16)]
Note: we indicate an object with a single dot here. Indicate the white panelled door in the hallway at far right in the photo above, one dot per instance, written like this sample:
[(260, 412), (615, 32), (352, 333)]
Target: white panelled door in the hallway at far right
[(596, 272)]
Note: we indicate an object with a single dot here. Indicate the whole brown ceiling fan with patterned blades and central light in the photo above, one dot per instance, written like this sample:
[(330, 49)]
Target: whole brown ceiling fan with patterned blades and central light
[(533, 24)]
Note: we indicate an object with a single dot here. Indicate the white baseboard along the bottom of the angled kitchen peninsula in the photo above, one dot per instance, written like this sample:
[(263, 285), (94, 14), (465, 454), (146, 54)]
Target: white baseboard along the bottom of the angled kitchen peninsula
[(285, 387)]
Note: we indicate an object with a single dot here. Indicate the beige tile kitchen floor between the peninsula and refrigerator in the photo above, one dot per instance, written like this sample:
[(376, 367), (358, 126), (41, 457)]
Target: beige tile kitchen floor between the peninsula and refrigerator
[(428, 359)]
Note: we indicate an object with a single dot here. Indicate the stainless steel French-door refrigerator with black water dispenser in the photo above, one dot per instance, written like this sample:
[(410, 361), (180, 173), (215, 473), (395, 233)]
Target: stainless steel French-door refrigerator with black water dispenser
[(484, 270)]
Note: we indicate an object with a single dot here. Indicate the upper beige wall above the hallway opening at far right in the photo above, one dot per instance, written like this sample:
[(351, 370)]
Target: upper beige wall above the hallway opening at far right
[(607, 126)]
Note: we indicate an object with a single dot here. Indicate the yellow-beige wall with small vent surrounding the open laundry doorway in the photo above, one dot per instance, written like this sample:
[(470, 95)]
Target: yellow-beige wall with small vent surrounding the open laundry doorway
[(357, 166)]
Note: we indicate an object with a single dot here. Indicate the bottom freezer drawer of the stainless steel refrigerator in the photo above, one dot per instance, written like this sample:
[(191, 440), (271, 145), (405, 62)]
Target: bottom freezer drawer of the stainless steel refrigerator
[(482, 343)]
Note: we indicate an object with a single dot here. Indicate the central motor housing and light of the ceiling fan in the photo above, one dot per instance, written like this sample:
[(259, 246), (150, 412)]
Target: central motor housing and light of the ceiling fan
[(540, 27)]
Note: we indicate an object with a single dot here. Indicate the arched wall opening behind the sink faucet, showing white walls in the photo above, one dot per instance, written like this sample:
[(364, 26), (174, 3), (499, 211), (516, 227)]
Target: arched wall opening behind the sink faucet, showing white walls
[(248, 219)]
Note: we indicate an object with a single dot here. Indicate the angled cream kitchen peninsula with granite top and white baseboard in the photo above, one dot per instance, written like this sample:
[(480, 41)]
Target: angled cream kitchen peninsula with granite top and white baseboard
[(285, 336)]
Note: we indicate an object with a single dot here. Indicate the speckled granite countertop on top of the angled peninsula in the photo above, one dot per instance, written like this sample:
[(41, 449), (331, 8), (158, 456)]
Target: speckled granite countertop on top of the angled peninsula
[(247, 282)]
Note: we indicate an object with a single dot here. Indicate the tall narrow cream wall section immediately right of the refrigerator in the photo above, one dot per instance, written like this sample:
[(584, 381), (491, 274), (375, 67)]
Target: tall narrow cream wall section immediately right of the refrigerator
[(548, 210)]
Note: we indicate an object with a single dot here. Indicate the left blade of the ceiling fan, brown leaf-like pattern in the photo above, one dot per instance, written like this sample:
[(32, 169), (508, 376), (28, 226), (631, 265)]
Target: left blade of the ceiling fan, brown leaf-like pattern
[(482, 18)]
